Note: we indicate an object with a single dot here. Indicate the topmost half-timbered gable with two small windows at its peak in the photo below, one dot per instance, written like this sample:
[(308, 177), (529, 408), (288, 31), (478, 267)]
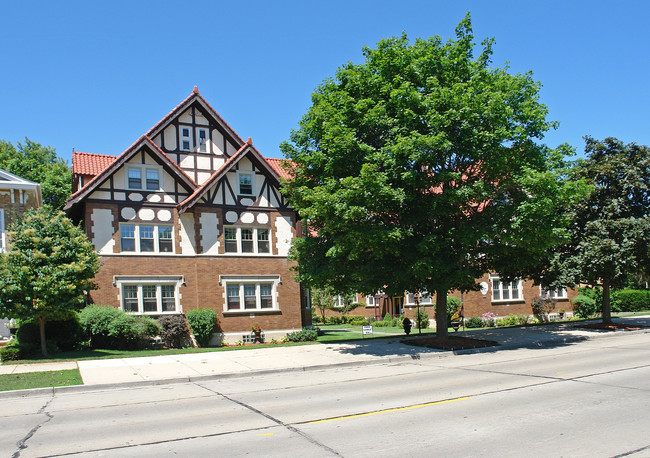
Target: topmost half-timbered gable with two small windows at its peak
[(196, 138)]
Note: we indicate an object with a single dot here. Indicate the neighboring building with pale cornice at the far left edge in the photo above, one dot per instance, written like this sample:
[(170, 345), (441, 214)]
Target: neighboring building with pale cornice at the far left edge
[(16, 196)]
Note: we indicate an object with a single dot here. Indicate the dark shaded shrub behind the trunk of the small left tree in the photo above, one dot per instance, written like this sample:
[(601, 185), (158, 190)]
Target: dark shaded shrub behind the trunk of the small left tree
[(65, 334)]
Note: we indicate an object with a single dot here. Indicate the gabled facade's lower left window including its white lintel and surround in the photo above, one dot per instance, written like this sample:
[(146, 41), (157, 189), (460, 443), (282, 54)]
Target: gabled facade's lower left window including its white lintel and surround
[(150, 295)]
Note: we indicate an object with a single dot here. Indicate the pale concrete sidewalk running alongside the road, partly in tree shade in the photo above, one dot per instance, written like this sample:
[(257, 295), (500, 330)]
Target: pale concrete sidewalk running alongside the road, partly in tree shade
[(249, 362)]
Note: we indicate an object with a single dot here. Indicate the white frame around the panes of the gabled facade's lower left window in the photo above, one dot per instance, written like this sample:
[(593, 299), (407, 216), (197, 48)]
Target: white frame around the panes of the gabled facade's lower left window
[(158, 281)]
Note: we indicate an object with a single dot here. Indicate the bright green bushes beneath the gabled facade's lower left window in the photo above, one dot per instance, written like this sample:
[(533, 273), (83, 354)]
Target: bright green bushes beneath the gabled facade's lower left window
[(108, 327)]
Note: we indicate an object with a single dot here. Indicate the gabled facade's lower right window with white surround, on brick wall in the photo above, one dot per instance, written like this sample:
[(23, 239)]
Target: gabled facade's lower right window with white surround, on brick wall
[(250, 294)]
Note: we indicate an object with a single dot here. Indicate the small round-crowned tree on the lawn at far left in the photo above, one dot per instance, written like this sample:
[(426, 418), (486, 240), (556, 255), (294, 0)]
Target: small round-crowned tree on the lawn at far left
[(49, 266)]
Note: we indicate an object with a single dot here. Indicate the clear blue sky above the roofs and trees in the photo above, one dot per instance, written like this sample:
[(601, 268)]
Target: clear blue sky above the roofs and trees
[(95, 76)]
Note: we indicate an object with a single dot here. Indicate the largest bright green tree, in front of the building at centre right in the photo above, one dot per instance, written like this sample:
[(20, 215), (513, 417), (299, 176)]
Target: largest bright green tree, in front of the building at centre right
[(418, 170)]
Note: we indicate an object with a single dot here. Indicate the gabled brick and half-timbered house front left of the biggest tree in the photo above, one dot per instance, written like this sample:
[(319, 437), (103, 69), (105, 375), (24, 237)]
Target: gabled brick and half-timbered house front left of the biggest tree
[(190, 216)]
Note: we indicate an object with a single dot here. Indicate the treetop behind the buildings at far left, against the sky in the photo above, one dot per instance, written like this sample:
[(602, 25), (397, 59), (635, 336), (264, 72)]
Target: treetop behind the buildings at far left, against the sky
[(40, 164)]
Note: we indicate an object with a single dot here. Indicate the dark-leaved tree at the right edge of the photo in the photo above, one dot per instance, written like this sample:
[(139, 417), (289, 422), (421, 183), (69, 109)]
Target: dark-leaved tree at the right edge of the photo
[(610, 229)]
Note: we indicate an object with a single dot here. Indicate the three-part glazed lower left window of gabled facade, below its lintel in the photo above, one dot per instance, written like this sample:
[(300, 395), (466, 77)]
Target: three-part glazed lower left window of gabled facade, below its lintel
[(150, 298)]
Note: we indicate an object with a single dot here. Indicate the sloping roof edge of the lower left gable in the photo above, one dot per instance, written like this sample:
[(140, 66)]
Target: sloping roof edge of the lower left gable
[(142, 142)]
